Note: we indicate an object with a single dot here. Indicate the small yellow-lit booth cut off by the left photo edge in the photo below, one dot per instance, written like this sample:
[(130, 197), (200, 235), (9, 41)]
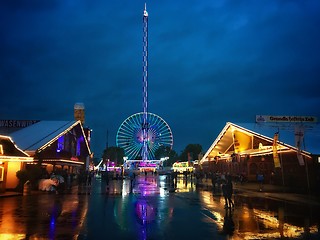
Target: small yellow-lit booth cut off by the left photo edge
[(12, 159)]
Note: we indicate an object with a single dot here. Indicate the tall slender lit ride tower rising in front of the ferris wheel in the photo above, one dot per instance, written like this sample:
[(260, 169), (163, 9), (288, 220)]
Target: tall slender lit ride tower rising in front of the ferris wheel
[(145, 126)]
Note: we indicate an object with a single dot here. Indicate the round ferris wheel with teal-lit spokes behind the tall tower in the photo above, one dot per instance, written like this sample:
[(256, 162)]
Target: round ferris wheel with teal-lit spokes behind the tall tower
[(130, 135)]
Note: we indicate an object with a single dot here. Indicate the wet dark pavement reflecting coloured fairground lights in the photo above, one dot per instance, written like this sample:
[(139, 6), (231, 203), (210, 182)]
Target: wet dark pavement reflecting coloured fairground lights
[(154, 210)]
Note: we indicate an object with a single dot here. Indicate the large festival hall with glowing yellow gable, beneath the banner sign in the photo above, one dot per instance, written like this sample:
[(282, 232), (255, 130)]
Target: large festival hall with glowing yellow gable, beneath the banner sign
[(286, 154)]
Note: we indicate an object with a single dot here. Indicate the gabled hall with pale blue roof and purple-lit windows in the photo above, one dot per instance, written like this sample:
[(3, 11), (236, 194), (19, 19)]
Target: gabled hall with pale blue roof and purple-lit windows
[(56, 145)]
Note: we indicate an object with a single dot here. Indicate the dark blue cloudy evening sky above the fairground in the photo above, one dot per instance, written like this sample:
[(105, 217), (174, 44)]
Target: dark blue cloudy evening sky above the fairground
[(210, 62)]
